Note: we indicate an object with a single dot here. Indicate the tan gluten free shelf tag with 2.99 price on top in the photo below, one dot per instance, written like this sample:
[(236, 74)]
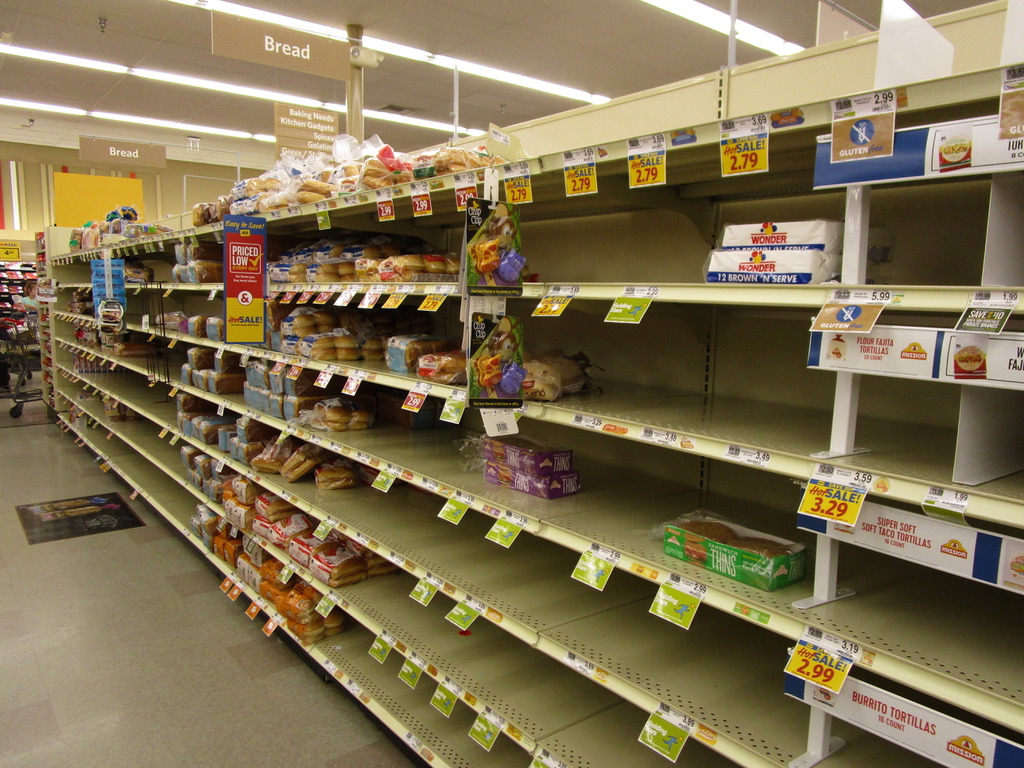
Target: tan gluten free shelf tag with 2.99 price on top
[(864, 126)]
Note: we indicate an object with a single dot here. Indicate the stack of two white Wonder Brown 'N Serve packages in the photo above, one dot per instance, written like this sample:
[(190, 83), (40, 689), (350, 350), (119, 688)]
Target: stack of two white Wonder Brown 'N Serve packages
[(779, 253)]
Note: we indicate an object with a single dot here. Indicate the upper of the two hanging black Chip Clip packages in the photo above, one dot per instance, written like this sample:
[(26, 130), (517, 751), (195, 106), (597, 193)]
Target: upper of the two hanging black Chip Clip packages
[(495, 264)]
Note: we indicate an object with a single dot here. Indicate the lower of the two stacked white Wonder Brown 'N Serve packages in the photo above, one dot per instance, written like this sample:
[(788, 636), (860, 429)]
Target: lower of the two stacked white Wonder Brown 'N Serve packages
[(783, 267)]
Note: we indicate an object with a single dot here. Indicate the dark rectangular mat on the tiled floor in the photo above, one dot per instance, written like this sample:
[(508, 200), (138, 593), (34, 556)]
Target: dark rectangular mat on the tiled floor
[(69, 519)]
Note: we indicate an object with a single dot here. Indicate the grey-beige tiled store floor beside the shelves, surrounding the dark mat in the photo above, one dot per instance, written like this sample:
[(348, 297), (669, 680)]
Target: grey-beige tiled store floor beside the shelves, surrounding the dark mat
[(119, 650)]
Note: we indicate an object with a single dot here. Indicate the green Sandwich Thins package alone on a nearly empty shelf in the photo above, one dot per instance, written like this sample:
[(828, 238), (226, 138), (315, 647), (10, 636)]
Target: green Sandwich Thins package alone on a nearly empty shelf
[(746, 556)]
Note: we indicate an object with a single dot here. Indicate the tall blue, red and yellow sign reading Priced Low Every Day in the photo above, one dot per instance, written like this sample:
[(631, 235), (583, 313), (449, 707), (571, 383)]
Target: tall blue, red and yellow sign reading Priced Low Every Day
[(245, 280)]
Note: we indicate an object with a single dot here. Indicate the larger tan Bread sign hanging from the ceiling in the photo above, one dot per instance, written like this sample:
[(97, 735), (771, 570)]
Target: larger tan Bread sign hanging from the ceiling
[(272, 46)]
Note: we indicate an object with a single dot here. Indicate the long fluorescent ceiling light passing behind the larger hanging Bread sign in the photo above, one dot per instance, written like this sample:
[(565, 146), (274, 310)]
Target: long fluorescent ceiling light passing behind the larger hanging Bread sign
[(398, 50)]
